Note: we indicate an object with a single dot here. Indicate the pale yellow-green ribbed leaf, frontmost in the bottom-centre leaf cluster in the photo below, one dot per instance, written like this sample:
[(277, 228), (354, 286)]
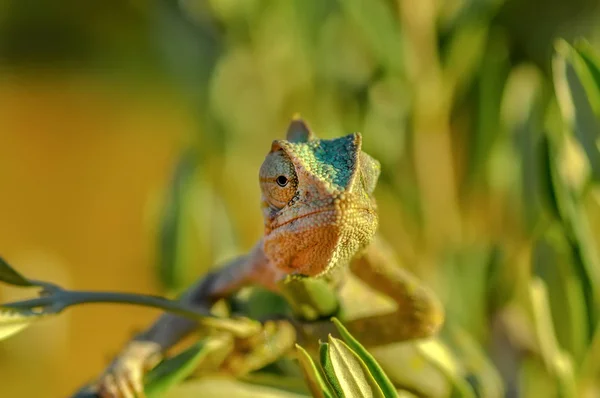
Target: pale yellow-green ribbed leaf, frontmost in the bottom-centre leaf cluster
[(351, 373)]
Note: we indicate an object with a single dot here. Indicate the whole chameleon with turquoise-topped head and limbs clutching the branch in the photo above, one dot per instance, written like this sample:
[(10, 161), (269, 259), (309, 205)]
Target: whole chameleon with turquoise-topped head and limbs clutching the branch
[(320, 220)]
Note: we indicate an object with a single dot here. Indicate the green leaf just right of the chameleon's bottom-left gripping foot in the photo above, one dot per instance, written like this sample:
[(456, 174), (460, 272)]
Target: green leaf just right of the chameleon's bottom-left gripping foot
[(174, 370)]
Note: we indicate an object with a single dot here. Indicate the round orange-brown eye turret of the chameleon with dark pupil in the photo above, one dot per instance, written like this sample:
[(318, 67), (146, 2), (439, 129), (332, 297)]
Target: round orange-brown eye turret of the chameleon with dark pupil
[(278, 180)]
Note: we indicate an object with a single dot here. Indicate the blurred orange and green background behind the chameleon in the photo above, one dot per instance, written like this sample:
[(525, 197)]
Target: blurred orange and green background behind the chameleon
[(131, 133)]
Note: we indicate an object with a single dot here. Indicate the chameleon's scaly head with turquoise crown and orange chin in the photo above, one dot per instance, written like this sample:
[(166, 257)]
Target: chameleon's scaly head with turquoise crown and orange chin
[(317, 199)]
